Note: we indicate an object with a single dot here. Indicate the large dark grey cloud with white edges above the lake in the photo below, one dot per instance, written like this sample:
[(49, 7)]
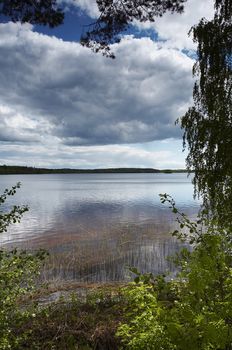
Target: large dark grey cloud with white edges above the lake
[(62, 90)]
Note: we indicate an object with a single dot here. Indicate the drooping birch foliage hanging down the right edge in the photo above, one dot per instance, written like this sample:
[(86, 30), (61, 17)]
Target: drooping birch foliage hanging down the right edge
[(208, 124)]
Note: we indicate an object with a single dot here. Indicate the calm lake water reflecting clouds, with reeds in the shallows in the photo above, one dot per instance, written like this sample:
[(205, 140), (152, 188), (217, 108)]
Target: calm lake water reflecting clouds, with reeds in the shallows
[(96, 225)]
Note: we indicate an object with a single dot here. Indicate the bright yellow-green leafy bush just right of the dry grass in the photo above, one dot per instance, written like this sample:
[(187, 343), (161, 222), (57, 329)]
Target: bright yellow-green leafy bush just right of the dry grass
[(143, 329)]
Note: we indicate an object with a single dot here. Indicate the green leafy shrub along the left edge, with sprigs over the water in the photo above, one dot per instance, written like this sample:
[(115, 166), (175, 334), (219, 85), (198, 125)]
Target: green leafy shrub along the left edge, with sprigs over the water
[(18, 271)]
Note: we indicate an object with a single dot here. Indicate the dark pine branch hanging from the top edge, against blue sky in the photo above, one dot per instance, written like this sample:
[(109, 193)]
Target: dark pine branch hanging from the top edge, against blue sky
[(117, 15)]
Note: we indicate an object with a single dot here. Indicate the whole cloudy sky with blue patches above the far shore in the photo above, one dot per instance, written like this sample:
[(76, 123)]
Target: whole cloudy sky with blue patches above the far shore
[(61, 105)]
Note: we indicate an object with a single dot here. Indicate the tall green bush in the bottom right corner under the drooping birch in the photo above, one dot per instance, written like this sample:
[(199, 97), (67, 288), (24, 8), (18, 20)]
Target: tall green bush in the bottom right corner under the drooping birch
[(201, 315)]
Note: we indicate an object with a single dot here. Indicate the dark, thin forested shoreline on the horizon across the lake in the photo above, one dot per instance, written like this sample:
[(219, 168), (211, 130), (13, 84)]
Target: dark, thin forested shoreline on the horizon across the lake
[(23, 170)]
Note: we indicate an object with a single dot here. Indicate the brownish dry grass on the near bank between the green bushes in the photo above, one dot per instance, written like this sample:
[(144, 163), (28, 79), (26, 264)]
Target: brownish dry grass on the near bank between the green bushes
[(76, 324)]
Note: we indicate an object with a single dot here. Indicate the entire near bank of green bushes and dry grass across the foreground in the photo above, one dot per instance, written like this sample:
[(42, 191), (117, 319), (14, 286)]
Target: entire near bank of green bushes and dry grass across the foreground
[(193, 310)]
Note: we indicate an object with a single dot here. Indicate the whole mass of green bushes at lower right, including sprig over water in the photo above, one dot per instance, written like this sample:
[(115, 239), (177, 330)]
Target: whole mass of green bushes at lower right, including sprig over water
[(192, 312)]
